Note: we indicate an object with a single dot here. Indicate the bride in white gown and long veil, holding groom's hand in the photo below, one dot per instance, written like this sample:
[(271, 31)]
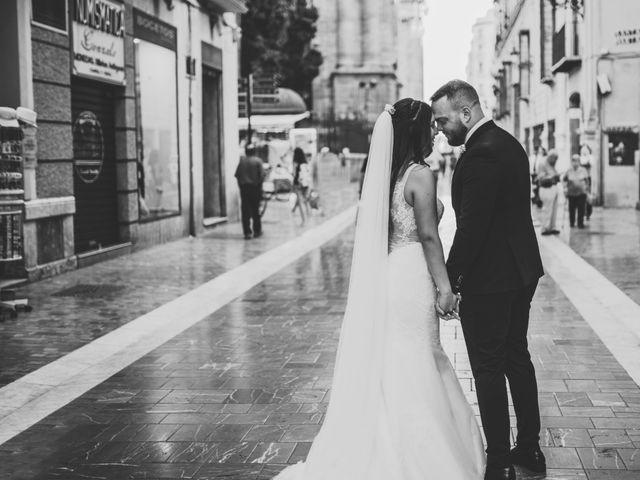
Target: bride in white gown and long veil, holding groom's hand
[(397, 411)]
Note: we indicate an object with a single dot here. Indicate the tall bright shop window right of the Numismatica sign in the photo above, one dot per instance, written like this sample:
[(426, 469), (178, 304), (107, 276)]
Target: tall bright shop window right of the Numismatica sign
[(158, 158)]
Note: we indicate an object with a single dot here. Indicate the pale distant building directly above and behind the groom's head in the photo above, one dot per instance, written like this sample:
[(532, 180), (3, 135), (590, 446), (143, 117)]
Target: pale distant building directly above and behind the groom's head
[(481, 59)]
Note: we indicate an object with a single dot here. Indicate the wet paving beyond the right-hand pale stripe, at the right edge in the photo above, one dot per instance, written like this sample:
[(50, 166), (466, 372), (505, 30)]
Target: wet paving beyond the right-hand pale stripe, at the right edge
[(611, 244)]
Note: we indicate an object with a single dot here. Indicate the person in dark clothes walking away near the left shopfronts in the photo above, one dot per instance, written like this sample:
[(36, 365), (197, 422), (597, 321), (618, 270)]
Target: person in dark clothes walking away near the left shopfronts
[(250, 174)]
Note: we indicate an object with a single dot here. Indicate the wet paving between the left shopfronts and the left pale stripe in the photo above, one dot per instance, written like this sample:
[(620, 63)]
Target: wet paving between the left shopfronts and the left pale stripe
[(73, 309)]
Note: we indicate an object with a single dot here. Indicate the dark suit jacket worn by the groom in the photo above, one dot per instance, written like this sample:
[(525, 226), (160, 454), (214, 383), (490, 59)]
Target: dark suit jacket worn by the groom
[(495, 248)]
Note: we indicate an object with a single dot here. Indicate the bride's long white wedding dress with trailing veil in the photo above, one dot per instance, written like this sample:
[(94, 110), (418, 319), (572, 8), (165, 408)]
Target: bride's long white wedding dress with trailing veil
[(397, 411)]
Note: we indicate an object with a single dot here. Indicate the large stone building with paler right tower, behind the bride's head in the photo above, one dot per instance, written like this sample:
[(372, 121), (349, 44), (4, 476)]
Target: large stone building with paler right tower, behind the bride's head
[(362, 67)]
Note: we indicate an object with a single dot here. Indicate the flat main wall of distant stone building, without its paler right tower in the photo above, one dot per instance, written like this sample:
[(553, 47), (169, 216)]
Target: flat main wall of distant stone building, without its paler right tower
[(359, 75)]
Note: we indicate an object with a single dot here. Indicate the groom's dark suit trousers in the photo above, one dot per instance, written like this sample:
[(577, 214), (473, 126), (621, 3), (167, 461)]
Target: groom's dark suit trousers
[(495, 331)]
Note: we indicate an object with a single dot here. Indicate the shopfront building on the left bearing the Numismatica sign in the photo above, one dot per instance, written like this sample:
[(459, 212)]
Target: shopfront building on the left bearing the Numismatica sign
[(136, 143)]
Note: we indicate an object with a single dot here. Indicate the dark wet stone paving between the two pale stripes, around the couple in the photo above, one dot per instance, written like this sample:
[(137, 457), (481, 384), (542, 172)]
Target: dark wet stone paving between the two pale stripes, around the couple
[(242, 393)]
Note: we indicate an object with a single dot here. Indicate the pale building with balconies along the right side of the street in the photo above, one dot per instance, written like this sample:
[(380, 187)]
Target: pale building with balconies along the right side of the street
[(567, 79)]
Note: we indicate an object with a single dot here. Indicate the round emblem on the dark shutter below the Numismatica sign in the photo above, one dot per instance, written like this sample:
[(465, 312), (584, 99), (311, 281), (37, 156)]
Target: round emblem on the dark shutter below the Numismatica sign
[(88, 146)]
